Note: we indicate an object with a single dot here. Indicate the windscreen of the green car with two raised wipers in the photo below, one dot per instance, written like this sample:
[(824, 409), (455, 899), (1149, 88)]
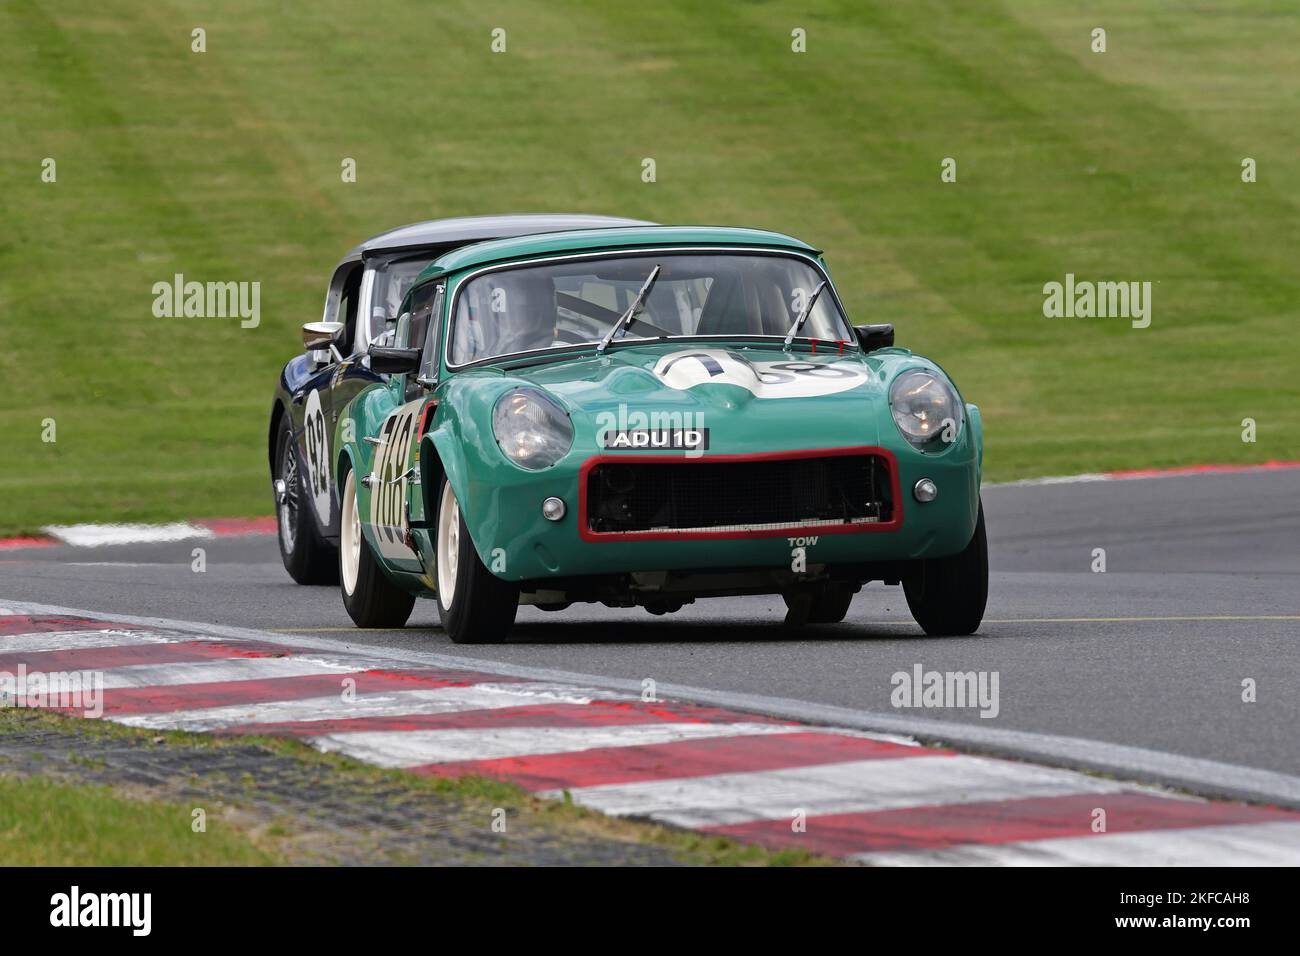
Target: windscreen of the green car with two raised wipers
[(579, 301)]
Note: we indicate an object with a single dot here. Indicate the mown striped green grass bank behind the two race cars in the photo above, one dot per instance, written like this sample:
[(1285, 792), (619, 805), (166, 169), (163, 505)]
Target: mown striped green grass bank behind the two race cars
[(226, 166)]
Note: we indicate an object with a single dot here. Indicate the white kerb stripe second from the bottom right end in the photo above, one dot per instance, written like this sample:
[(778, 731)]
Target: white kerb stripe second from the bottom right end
[(853, 788)]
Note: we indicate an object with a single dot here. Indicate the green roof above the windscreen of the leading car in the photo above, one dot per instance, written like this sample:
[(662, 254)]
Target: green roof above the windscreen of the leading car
[(595, 240)]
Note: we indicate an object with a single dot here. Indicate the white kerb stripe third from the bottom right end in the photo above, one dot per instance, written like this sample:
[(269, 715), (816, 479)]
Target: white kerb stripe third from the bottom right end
[(414, 749)]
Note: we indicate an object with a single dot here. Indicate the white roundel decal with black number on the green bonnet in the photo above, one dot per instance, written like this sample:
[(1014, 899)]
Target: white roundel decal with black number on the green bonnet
[(782, 379)]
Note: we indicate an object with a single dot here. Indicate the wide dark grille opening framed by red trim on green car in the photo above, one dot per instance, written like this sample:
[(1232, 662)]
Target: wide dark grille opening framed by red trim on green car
[(699, 495)]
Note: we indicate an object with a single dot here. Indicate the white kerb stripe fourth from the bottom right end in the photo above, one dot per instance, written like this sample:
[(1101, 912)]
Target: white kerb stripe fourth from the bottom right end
[(444, 700)]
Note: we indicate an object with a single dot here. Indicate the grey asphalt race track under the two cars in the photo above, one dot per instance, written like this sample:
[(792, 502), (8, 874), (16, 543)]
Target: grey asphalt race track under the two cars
[(1202, 591)]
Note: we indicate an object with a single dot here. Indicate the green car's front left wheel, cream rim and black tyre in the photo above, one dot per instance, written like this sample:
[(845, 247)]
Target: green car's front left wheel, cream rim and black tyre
[(474, 604)]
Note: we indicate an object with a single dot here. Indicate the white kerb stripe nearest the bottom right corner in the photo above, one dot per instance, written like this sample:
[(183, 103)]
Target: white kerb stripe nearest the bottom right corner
[(1238, 845)]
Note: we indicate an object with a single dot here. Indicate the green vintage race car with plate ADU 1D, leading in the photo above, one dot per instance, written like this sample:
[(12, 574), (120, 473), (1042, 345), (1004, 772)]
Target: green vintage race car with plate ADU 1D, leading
[(649, 416)]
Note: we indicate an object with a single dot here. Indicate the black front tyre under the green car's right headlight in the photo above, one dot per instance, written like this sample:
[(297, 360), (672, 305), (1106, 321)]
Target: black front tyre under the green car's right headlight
[(947, 596)]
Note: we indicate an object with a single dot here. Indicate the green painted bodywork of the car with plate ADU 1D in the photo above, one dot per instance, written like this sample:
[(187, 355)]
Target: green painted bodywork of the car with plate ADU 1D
[(502, 503)]
